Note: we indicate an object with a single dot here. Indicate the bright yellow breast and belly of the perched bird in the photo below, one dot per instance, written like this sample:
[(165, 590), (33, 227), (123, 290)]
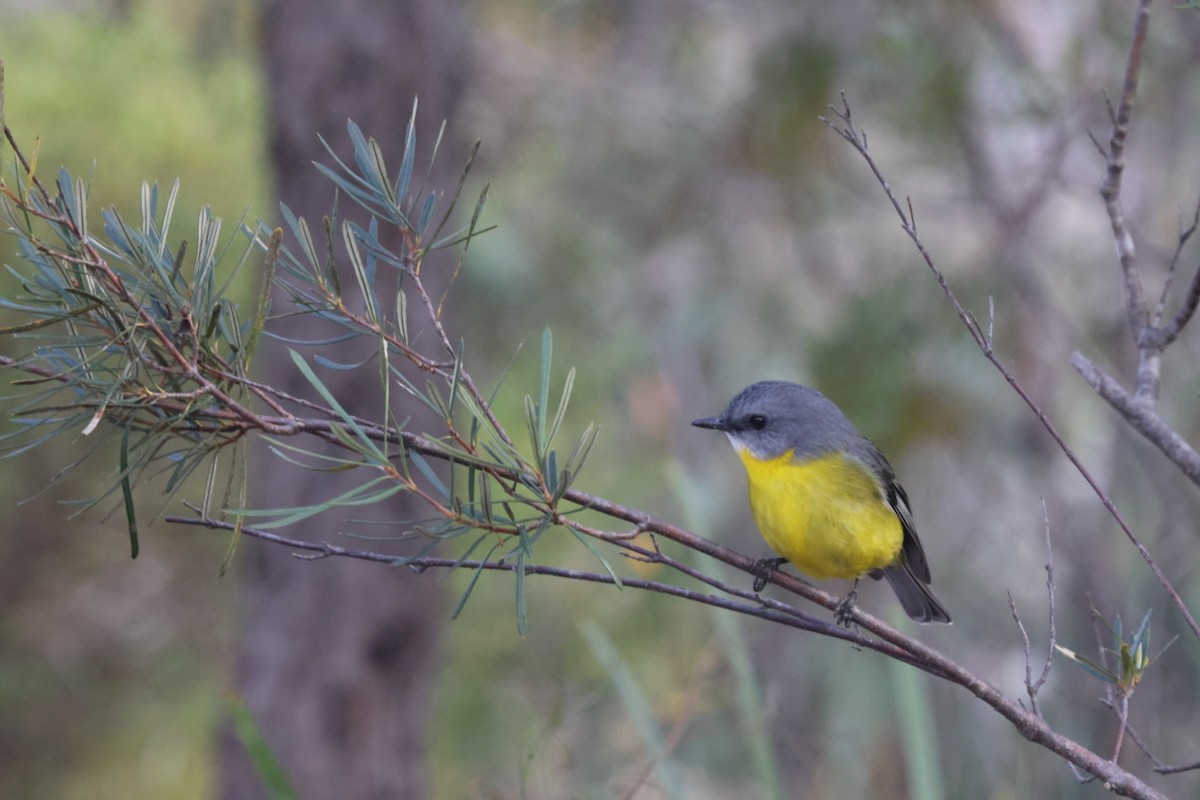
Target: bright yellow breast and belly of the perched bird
[(827, 515)]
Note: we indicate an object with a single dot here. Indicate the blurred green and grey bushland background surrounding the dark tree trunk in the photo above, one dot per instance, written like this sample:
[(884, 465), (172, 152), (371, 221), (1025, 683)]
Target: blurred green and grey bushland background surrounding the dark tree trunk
[(669, 203)]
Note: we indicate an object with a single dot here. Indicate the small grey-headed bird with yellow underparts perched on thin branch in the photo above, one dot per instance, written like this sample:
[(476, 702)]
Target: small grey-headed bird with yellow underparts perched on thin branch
[(824, 497)]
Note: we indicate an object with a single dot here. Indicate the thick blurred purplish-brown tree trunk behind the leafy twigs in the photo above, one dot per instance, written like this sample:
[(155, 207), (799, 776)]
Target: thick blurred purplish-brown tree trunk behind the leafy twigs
[(337, 659)]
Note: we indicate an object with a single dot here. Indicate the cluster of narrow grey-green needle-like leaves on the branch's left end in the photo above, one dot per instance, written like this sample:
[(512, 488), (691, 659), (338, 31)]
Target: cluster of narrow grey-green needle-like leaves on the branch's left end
[(125, 336)]
